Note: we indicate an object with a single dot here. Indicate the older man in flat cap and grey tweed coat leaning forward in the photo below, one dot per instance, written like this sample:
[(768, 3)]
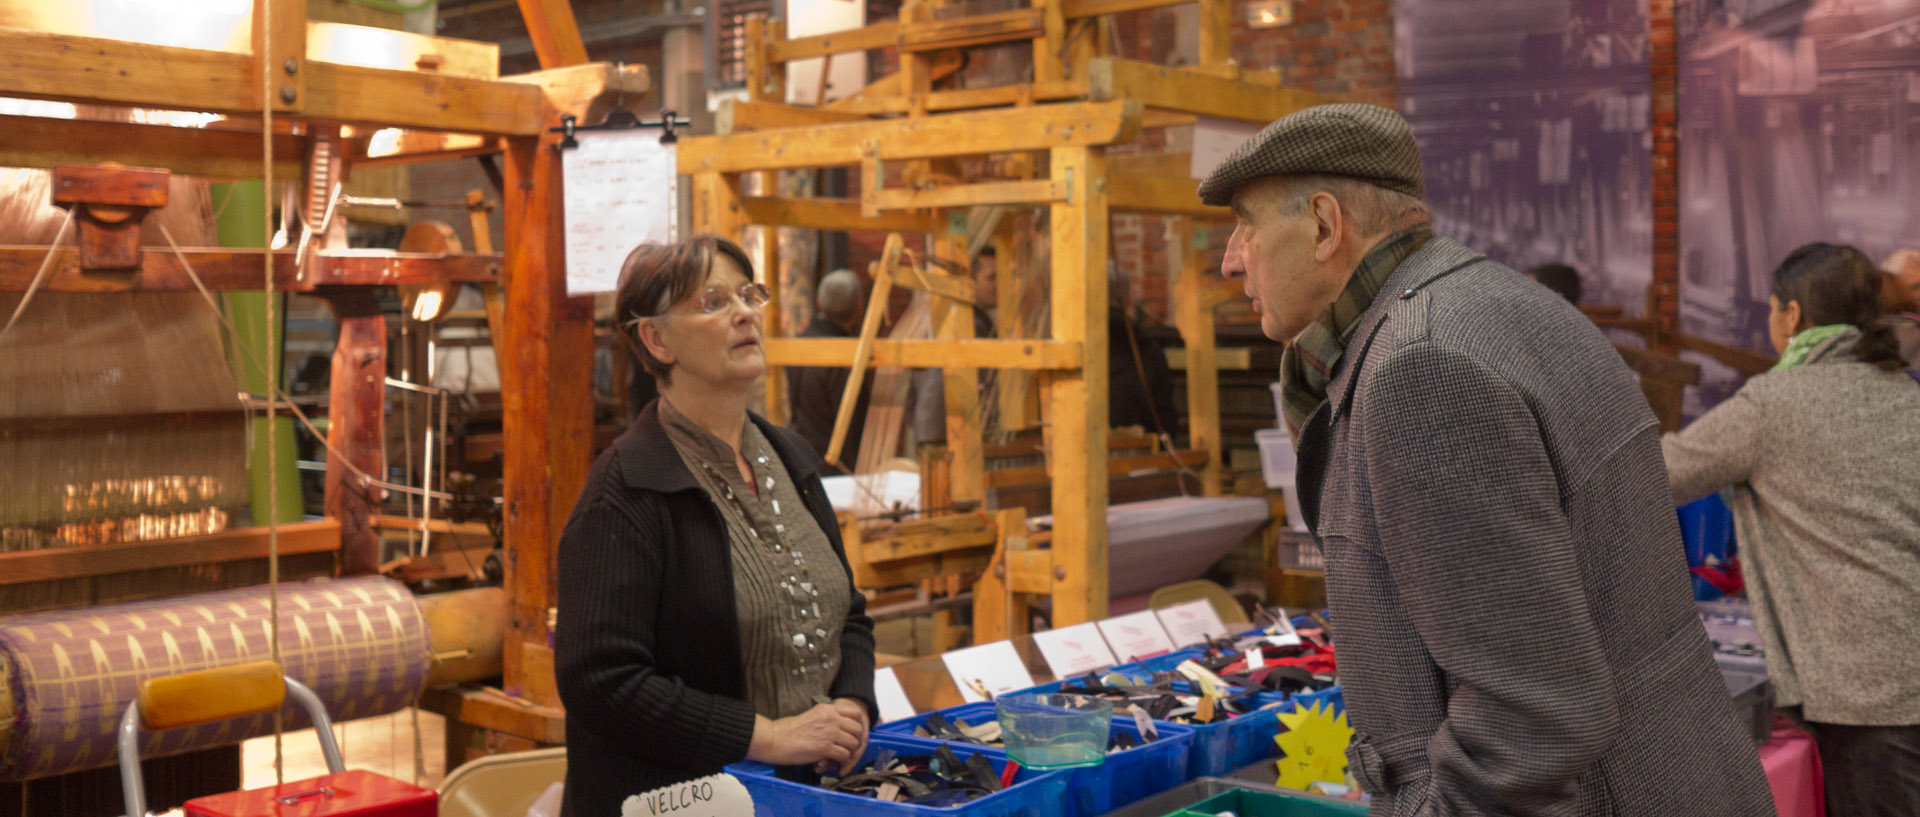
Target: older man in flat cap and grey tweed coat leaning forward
[(1485, 480)]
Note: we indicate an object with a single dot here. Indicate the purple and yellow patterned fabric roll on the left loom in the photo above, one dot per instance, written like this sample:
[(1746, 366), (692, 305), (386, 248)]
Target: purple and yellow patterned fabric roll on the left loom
[(358, 643)]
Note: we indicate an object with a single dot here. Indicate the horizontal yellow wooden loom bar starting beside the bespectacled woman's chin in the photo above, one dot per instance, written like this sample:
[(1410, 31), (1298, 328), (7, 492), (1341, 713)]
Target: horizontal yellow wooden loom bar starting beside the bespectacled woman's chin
[(926, 354)]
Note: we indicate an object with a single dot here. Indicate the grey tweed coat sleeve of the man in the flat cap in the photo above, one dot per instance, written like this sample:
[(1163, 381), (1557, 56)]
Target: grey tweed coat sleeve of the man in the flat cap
[(1485, 559)]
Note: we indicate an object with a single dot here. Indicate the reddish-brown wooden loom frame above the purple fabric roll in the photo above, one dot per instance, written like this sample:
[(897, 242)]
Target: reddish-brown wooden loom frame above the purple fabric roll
[(325, 118)]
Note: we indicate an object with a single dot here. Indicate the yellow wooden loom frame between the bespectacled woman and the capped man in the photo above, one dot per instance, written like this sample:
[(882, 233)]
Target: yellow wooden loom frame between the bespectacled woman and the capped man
[(1051, 137)]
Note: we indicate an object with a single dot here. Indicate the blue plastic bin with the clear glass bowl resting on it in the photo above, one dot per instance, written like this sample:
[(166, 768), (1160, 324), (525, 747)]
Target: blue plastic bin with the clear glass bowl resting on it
[(1097, 789)]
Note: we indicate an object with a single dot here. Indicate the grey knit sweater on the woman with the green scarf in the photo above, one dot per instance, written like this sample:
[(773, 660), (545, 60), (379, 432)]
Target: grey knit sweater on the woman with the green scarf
[(1825, 463)]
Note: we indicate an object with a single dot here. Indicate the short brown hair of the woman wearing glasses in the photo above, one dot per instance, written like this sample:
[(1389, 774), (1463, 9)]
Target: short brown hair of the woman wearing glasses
[(661, 275)]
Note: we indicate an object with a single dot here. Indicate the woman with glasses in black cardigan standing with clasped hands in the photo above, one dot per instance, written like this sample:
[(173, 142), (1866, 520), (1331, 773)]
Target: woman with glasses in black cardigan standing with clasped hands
[(706, 607)]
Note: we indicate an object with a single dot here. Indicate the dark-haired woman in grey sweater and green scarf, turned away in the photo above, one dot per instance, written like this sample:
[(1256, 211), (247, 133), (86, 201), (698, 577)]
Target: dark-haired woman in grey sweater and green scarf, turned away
[(1823, 457)]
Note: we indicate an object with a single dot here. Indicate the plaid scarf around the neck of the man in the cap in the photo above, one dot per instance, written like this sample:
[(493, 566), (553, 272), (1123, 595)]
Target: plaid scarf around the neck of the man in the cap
[(1308, 363)]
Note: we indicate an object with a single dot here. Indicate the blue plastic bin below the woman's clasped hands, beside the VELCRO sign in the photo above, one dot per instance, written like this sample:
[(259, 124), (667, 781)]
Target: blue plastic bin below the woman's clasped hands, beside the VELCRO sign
[(1032, 795)]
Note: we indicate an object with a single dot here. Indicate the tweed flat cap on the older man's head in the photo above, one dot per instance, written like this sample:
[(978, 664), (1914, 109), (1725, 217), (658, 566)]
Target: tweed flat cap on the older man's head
[(1368, 143)]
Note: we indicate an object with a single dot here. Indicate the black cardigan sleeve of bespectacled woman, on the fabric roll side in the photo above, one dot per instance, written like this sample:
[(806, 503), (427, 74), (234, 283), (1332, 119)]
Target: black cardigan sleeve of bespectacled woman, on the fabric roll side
[(610, 586)]
